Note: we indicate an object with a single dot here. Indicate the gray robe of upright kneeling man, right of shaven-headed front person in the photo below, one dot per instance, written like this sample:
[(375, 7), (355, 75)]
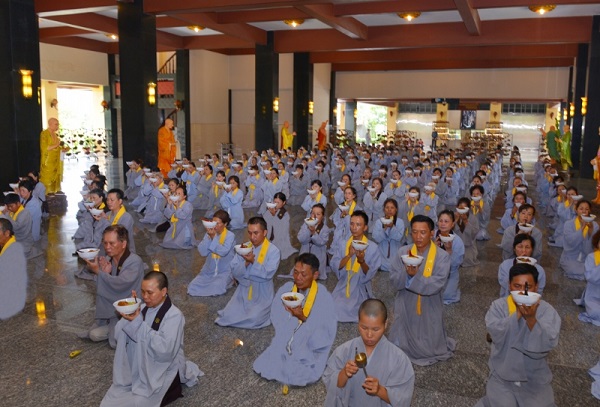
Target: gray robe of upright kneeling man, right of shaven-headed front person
[(422, 337)]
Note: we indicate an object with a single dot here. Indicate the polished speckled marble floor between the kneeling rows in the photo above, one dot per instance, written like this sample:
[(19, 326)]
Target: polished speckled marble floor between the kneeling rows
[(37, 369)]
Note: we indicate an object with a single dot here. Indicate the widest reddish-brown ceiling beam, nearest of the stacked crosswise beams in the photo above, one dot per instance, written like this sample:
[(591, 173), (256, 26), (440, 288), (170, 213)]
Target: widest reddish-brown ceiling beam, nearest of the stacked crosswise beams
[(495, 32)]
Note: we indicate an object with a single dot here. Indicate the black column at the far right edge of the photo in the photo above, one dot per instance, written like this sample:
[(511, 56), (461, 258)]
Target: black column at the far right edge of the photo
[(591, 135)]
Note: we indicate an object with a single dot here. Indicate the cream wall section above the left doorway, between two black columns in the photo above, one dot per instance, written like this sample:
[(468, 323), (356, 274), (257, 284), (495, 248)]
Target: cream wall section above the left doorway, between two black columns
[(73, 65)]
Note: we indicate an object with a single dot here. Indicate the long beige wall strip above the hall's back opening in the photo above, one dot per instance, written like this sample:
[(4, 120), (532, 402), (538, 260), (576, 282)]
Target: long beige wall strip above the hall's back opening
[(489, 84)]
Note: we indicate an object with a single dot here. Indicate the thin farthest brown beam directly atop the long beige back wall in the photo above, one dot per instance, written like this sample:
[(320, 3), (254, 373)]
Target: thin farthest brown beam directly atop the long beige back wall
[(455, 64)]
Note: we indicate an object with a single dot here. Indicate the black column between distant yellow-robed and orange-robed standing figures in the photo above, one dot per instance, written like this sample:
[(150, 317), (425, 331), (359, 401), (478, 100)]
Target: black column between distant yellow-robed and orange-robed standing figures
[(303, 93)]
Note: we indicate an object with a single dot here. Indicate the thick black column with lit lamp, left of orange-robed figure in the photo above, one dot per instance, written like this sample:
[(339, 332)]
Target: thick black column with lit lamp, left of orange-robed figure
[(137, 66)]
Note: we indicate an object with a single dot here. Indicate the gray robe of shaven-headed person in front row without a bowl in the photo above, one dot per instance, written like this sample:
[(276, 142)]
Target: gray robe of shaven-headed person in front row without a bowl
[(387, 363)]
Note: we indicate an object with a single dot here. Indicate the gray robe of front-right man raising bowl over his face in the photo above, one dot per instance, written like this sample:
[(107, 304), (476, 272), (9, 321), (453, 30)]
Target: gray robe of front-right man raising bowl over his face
[(519, 372)]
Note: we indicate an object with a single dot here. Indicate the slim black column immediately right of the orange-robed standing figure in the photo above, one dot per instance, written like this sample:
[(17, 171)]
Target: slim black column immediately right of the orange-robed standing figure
[(182, 93)]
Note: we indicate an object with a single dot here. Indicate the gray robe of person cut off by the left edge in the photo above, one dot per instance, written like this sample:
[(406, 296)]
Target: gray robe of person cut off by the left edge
[(13, 274)]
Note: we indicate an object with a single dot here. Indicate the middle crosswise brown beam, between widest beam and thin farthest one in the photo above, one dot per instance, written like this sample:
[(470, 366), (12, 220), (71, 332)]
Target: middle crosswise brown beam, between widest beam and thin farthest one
[(432, 54)]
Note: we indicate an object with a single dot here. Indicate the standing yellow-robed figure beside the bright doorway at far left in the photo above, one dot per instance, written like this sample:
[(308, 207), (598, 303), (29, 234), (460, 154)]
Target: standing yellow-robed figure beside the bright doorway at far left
[(50, 174)]
